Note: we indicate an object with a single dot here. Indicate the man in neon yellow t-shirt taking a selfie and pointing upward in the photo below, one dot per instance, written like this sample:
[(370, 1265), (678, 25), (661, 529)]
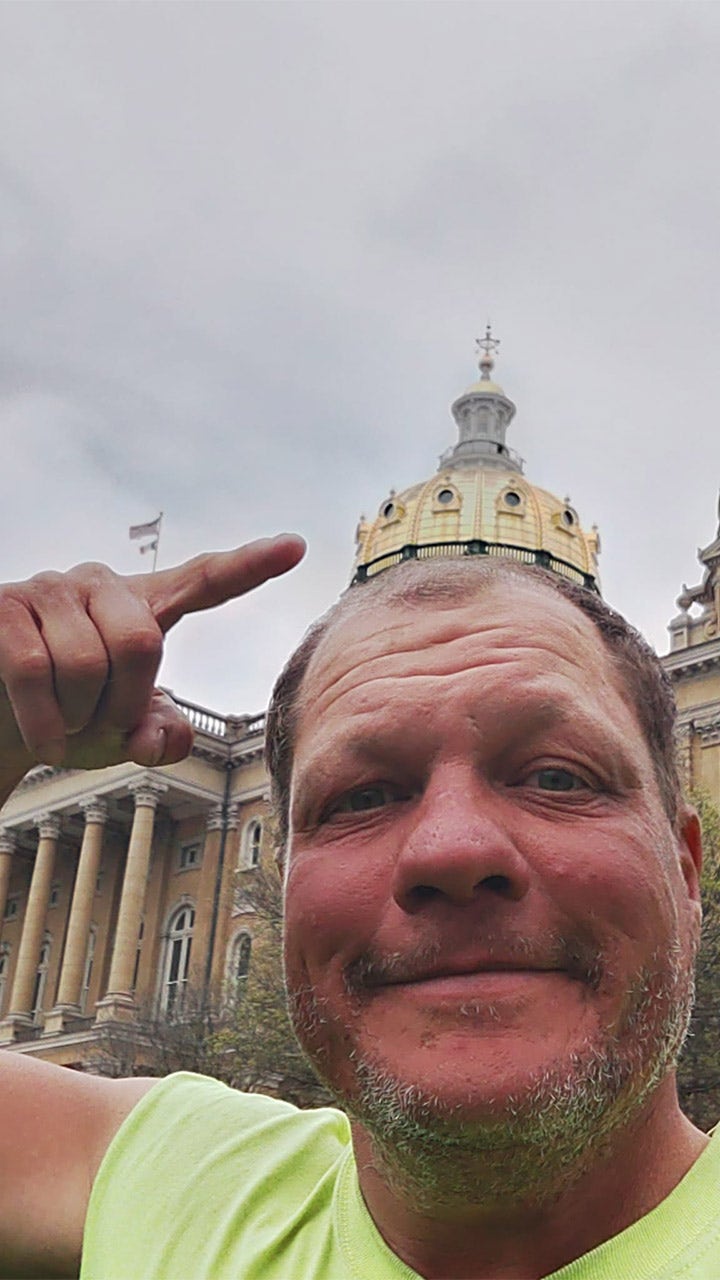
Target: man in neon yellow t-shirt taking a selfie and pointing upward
[(491, 920)]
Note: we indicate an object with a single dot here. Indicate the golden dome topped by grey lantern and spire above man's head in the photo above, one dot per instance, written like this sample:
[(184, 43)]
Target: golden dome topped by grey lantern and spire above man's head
[(479, 502)]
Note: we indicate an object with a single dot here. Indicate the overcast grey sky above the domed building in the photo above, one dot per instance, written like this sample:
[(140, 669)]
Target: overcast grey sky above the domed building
[(247, 250)]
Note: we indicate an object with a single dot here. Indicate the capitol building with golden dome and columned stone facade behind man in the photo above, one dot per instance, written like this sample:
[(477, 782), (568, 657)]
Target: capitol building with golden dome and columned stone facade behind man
[(122, 888)]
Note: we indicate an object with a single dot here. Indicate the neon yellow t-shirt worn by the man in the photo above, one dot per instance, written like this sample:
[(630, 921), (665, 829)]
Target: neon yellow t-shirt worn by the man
[(206, 1183)]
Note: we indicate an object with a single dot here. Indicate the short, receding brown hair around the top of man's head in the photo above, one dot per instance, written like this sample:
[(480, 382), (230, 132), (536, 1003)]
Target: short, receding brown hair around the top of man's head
[(423, 583)]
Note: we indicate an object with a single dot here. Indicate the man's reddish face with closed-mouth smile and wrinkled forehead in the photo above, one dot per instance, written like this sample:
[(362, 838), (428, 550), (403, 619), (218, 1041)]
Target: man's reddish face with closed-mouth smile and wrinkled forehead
[(484, 886)]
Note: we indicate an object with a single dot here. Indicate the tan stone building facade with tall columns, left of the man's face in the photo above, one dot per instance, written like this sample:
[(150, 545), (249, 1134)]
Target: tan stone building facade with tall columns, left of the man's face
[(120, 886)]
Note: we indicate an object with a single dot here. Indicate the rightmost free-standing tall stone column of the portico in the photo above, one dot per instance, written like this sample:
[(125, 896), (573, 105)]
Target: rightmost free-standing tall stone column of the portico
[(119, 1002)]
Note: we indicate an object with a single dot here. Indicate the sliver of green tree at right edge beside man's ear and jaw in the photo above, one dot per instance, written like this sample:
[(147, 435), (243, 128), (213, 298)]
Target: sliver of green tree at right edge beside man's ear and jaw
[(699, 1075)]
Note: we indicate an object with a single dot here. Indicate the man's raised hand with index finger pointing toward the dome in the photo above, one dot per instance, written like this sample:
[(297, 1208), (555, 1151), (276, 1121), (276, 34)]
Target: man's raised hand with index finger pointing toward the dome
[(80, 655)]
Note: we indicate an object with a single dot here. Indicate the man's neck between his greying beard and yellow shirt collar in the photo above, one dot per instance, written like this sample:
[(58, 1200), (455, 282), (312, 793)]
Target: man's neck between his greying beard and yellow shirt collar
[(526, 1240)]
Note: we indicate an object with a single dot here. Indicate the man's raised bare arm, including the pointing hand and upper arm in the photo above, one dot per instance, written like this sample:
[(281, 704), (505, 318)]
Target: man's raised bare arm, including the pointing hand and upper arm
[(79, 660)]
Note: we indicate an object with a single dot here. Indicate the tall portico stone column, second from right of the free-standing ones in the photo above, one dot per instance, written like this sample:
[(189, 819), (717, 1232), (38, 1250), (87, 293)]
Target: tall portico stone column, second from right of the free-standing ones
[(81, 915)]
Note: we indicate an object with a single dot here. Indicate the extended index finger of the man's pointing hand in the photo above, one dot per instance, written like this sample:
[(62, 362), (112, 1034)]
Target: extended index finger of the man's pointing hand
[(215, 578)]
